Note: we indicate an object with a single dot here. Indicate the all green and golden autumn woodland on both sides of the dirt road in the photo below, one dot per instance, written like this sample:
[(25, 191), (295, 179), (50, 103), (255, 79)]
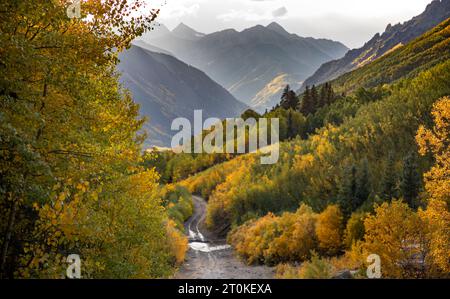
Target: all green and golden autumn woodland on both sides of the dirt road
[(364, 164)]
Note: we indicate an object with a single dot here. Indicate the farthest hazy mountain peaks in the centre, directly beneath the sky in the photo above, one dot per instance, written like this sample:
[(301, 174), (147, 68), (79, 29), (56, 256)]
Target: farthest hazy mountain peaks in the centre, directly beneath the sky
[(246, 62)]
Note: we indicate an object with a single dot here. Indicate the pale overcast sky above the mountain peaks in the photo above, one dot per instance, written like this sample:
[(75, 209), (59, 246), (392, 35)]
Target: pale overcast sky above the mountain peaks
[(352, 22)]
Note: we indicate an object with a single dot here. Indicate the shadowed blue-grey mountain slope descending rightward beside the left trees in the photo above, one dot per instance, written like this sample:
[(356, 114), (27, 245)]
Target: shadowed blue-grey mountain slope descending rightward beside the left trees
[(167, 88)]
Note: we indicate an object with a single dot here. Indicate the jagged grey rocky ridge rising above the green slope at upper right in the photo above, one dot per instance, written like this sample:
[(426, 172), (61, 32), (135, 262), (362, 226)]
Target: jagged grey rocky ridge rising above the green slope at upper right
[(394, 37)]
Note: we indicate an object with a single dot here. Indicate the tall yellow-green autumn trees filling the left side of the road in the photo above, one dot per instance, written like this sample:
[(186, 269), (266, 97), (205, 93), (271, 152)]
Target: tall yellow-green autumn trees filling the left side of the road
[(72, 179)]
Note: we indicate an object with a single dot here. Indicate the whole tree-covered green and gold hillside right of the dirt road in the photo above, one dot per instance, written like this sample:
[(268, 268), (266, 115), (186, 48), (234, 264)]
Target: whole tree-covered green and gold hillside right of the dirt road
[(360, 172)]
